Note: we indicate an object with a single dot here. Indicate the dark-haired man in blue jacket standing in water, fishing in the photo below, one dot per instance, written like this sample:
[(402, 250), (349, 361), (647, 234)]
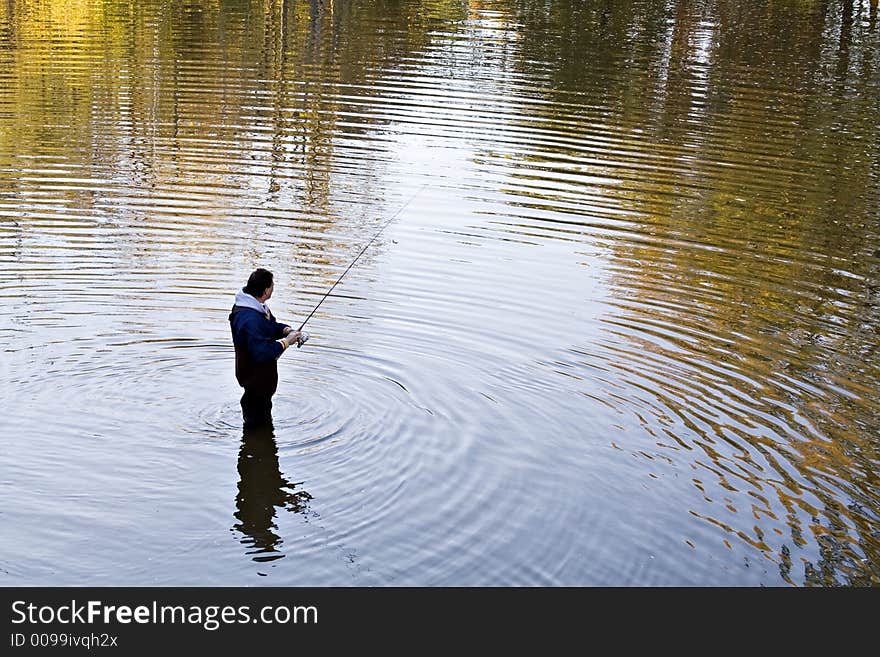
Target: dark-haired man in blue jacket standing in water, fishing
[(259, 340)]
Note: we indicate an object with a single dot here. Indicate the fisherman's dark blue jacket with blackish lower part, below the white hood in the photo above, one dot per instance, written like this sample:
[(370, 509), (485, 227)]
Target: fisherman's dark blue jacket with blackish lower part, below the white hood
[(257, 349)]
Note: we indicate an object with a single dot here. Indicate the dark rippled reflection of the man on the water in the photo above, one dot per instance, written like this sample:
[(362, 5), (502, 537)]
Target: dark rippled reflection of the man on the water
[(262, 489)]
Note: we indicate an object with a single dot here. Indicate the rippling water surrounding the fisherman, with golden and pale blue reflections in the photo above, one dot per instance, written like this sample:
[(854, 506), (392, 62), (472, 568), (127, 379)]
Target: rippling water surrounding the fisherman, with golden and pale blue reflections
[(625, 332)]
